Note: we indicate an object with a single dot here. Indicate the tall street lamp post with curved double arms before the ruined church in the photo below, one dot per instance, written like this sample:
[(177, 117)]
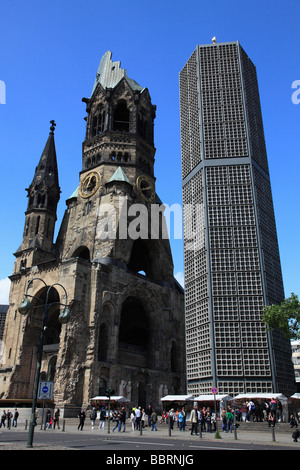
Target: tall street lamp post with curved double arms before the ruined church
[(64, 317)]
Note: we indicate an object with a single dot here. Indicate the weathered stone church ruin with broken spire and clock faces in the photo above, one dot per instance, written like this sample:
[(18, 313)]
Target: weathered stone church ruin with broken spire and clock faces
[(127, 328)]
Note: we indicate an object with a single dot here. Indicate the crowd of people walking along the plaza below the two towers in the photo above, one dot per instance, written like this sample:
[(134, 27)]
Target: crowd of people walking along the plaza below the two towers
[(200, 419)]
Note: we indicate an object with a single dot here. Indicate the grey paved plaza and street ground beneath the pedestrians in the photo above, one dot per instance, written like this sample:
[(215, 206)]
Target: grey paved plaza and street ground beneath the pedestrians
[(57, 439)]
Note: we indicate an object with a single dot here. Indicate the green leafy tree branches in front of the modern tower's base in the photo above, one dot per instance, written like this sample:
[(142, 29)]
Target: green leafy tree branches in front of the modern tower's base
[(285, 316)]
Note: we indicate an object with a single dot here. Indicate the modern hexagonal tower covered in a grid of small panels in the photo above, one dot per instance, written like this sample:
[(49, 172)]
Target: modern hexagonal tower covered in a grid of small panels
[(231, 255)]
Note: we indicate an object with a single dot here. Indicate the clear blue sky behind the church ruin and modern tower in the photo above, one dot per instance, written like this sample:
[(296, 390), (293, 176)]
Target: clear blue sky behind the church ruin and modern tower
[(49, 56)]
